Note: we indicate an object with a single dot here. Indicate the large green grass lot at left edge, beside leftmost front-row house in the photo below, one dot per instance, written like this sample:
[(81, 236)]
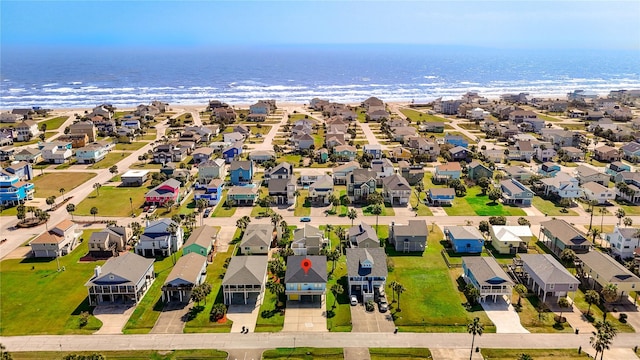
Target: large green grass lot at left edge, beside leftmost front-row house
[(37, 299)]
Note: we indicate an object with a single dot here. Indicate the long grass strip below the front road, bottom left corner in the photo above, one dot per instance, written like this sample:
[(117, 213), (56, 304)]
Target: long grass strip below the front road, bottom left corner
[(129, 354)]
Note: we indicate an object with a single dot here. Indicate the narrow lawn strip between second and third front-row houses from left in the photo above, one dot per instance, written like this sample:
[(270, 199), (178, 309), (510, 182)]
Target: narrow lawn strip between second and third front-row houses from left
[(215, 273)]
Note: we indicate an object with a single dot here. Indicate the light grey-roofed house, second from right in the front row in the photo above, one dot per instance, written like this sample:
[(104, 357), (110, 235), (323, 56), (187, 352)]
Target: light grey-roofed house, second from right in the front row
[(547, 277)]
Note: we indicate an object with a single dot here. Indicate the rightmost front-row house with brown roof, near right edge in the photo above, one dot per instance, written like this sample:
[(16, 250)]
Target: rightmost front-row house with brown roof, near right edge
[(601, 269)]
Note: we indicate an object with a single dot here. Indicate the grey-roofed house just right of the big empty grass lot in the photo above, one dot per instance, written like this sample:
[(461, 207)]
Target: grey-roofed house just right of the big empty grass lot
[(486, 275)]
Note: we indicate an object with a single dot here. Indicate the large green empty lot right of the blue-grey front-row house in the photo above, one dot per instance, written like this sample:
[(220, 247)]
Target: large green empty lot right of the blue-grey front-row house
[(441, 308)]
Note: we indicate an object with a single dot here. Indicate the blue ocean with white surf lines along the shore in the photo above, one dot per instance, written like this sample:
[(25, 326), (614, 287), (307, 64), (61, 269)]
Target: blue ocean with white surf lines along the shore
[(86, 77)]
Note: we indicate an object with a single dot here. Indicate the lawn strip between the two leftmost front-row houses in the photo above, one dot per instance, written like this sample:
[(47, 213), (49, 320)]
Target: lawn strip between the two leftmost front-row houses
[(148, 310)]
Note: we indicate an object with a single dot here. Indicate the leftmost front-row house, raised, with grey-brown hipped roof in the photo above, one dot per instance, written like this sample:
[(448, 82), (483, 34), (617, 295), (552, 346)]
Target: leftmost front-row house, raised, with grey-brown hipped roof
[(123, 279)]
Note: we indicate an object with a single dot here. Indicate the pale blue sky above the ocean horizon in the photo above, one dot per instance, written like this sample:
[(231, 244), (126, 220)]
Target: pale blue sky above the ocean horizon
[(499, 24)]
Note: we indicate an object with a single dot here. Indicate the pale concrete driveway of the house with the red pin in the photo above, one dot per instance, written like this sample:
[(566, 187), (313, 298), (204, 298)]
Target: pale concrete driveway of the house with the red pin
[(305, 316)]
